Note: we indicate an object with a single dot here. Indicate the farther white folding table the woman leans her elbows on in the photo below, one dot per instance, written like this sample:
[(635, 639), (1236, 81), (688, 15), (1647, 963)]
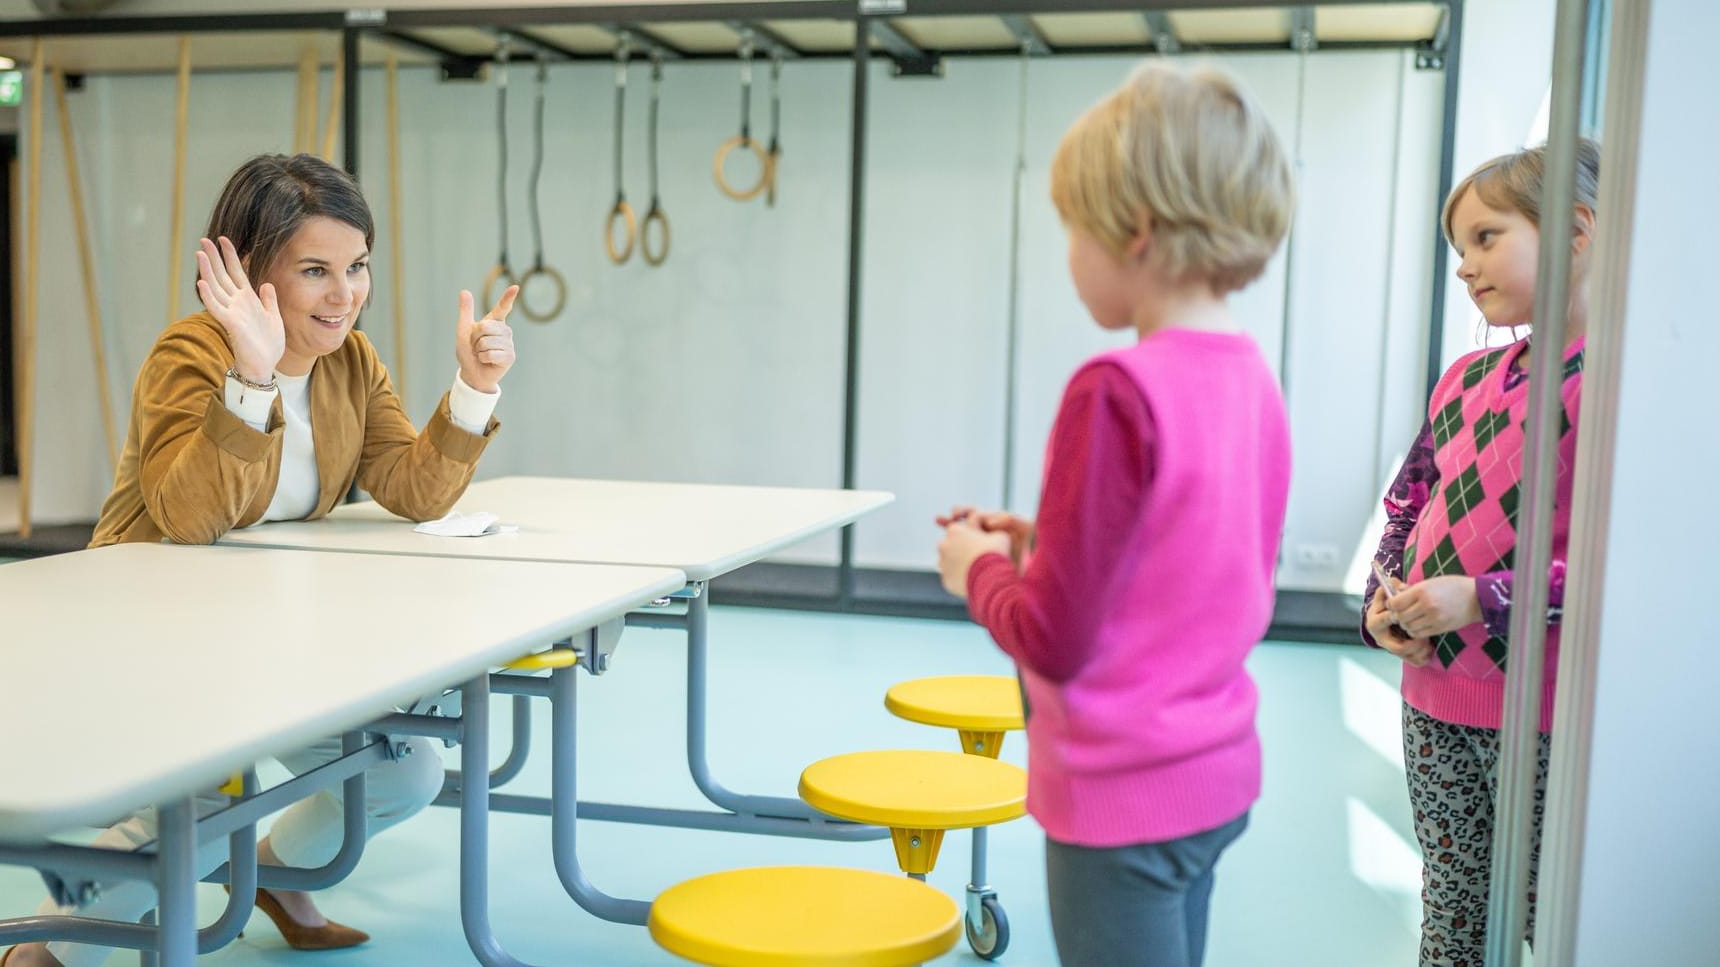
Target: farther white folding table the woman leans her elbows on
[(703, 531)]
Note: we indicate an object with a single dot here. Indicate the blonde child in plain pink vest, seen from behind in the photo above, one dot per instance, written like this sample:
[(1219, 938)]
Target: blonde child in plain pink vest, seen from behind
[(1165, 486)]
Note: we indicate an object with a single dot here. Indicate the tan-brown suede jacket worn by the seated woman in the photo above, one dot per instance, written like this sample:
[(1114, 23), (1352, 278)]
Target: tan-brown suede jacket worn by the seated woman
[(193, 471)]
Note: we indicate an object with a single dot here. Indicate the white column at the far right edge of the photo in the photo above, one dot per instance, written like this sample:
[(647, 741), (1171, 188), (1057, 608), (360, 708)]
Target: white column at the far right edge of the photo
[(1631, 841)]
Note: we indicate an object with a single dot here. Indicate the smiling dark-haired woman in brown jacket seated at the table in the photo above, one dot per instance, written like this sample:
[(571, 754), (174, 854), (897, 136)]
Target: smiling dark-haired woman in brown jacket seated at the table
[(271, 407)]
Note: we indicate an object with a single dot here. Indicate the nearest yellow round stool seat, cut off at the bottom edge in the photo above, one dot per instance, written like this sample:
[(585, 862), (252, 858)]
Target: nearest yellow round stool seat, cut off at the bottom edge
[(804, 916)]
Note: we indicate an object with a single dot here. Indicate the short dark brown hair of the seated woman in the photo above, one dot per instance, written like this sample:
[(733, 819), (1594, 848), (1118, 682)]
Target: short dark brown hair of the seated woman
[(267, 200)]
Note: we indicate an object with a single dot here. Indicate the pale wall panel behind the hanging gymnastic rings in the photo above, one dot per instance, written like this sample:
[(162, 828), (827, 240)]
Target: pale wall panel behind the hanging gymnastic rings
[(722, 366)]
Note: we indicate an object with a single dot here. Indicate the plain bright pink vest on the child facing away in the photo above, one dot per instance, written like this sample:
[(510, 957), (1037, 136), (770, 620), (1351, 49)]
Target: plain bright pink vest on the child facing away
[(1153, 737)]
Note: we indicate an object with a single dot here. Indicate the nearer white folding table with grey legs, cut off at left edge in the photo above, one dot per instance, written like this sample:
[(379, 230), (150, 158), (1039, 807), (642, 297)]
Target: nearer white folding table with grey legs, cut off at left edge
[(156, 672)]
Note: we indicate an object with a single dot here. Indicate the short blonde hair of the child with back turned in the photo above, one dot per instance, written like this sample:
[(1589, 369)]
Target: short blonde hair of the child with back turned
[(1189, 154)]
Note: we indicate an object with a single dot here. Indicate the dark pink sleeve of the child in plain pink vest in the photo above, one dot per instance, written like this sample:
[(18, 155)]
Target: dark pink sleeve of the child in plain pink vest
[(1048, 619)]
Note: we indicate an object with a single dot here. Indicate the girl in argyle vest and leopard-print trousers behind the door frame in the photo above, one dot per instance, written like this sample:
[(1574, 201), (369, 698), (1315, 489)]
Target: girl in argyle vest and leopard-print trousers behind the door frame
[(1451, 536)]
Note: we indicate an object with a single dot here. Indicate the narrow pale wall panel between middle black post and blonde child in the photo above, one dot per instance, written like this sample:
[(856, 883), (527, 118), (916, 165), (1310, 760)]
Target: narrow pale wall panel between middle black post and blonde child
[(935, 309)]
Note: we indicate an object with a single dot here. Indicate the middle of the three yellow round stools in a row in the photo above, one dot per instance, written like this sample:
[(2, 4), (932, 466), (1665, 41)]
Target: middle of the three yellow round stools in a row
[(921, 794)]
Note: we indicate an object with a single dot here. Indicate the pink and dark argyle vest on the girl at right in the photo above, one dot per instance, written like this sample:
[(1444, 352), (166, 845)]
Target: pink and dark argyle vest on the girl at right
[(1470, 524)]
